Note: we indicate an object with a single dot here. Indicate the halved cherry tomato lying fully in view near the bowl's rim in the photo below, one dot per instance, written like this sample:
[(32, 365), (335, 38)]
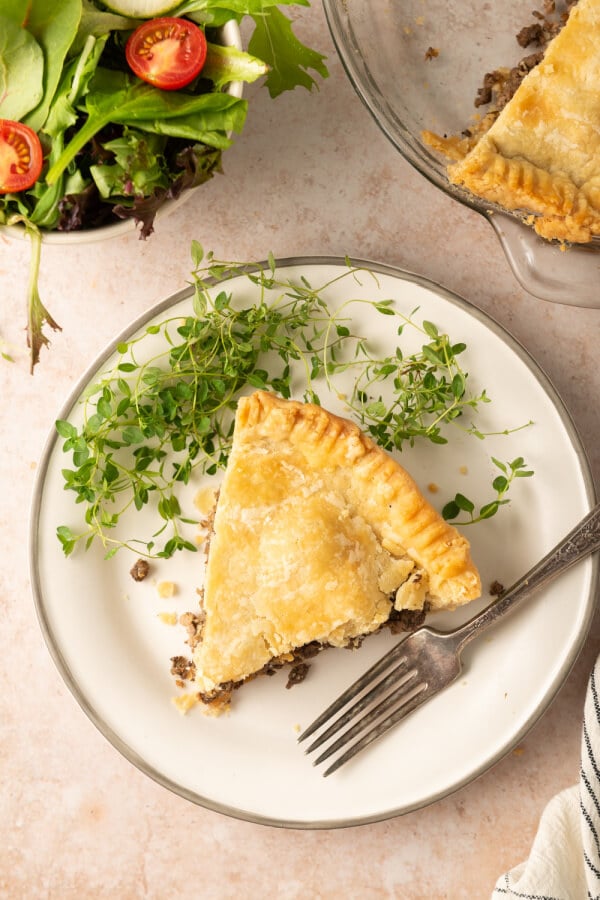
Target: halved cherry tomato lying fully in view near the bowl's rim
[(168, 53)]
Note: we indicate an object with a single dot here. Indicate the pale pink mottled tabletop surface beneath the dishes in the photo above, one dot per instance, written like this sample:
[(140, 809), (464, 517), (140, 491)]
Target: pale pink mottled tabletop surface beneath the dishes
[(311, 175)]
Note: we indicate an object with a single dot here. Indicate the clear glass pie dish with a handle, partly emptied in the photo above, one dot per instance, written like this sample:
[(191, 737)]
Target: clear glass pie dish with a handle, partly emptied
[(417, 66)]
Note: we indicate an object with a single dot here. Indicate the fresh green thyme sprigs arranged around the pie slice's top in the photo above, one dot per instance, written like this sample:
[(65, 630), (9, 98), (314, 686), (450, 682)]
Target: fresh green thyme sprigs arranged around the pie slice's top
[(166, 407)]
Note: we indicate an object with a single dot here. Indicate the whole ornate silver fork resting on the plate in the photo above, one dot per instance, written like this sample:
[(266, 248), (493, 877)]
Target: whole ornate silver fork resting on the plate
[(427, 661)]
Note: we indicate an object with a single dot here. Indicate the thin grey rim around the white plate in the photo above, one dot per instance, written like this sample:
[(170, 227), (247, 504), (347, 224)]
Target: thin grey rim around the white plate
[(61, 663)]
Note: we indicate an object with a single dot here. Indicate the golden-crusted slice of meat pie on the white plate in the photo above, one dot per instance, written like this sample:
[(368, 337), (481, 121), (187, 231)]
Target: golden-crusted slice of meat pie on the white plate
[(318, 536)]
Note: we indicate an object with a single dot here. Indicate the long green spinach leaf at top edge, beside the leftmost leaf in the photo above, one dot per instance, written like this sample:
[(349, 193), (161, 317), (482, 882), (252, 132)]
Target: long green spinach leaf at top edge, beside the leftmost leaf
[(54, 26)]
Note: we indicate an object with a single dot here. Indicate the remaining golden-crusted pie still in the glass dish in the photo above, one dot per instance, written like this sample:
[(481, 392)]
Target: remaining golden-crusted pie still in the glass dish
[(541, 156)]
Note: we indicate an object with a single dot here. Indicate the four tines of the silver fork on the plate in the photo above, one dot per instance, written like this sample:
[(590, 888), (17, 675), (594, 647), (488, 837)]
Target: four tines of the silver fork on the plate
[(393, 683)]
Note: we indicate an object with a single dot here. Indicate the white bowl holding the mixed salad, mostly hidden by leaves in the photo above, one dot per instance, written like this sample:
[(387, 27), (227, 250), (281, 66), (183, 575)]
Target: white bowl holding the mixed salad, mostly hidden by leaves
[(229, 36)]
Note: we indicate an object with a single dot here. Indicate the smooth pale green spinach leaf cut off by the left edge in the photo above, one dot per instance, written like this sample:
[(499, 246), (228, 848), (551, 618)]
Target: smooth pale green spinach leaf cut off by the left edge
[(21, 69)]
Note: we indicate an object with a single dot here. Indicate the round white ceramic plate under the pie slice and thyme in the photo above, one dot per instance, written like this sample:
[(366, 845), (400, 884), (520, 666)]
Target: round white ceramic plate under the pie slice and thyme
[(113, 650)]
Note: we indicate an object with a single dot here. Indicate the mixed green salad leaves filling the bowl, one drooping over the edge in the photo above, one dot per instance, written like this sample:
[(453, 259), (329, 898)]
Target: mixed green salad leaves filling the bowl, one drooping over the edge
[(116, 147)]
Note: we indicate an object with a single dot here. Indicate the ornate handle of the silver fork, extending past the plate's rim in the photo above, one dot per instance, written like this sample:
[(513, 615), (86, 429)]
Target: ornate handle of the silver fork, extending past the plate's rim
[(580, 542)]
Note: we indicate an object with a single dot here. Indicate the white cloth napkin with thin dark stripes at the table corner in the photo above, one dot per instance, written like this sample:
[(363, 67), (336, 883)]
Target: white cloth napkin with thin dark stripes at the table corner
[(564, 863)]
